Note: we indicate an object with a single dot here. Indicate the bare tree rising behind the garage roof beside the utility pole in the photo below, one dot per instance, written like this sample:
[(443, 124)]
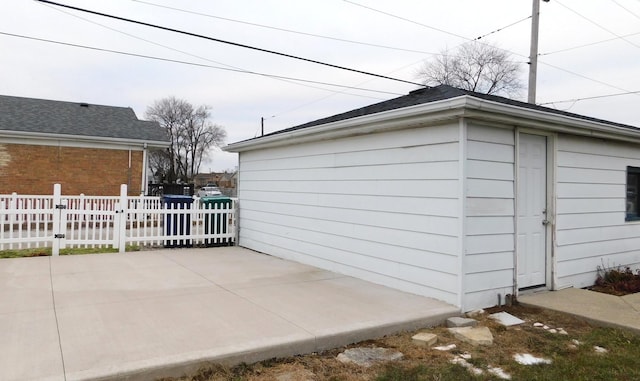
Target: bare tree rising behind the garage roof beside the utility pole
[(476, 67)]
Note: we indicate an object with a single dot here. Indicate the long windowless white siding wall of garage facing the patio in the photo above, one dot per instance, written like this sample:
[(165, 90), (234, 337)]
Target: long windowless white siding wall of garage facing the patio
[(383, 207)]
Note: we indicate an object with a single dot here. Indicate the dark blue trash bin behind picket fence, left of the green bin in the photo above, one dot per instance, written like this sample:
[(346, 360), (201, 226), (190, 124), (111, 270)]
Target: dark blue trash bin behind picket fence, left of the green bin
[(178, 221)]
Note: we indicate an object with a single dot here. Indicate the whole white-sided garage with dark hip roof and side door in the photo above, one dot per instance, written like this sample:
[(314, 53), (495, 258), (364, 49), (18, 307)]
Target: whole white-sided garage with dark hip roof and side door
[(447, 193)]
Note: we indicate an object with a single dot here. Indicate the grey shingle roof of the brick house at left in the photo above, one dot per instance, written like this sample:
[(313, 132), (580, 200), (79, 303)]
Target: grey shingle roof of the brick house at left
[(79, 119)]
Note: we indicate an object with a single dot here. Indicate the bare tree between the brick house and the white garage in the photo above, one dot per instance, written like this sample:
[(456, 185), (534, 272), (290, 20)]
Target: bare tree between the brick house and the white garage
[(192, 135)]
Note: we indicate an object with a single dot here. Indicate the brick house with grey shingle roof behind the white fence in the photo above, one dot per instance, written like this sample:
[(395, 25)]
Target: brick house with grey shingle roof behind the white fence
[(87, 148)]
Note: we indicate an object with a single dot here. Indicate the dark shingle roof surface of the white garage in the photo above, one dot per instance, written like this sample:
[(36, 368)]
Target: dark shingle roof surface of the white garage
[(433, 94)]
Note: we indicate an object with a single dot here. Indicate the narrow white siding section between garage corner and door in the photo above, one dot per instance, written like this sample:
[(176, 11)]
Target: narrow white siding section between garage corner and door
[(489, 225)]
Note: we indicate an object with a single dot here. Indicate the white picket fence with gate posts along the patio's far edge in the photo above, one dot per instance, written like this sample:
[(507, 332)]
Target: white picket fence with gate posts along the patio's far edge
[(59, 221)]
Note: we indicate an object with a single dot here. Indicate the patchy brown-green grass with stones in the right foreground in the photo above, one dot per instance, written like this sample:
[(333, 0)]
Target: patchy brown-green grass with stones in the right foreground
[(569, 362)]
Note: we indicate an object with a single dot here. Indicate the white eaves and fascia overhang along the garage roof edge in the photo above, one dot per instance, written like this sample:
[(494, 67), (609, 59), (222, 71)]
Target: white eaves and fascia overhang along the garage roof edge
[(431, 113)]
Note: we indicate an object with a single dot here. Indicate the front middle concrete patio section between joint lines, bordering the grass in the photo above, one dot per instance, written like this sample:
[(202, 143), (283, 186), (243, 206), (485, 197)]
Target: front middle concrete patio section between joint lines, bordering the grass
[(164, 331)]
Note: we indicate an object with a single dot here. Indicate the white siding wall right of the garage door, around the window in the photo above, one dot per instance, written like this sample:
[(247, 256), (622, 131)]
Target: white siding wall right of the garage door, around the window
[(591, 198)]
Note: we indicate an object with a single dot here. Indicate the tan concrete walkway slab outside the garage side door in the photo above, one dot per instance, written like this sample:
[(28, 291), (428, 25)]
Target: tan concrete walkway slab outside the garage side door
[(595, 307)]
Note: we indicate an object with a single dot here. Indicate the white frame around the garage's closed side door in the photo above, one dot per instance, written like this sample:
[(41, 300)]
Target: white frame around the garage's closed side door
[(550, 265)]
